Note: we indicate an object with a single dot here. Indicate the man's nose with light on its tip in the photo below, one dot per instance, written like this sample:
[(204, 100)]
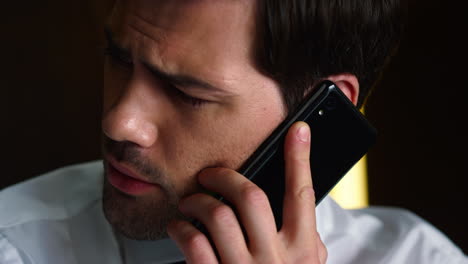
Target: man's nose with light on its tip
[(131, 116)]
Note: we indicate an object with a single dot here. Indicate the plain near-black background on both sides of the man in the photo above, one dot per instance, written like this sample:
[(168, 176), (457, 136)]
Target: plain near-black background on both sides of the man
[(51, 79)]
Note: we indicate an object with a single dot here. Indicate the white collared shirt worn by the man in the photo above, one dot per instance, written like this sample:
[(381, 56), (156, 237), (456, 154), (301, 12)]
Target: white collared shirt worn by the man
[(57, 218)]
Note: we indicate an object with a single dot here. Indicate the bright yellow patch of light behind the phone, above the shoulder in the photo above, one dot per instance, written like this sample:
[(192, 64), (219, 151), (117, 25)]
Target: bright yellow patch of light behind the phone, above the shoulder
[(352, 191)]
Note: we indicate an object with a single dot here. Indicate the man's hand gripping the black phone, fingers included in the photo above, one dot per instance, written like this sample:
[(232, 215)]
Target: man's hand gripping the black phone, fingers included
[(296, 242)]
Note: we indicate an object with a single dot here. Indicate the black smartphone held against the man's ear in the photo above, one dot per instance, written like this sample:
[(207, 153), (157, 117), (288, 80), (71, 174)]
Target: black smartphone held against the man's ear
[(340, 137)]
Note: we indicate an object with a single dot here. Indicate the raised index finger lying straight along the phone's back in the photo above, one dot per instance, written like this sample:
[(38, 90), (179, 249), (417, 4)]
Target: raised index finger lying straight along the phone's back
[(299, 224)]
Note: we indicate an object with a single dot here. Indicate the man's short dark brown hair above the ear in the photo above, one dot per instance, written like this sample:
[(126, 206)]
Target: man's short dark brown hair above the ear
[(303, 41)]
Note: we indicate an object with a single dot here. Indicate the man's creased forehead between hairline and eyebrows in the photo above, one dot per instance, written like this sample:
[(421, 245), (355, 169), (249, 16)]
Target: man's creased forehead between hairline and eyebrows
[(214, 37)]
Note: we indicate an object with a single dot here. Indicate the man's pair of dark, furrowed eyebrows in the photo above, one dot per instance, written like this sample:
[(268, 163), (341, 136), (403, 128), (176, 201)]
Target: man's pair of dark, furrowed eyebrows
[(177, 79)]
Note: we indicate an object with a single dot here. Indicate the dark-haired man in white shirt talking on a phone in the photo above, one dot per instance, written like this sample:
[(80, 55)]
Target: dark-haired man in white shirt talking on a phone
[(191, 89)]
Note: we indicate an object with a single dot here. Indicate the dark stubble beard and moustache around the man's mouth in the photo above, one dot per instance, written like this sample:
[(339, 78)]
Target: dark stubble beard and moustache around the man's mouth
[(139, 218)]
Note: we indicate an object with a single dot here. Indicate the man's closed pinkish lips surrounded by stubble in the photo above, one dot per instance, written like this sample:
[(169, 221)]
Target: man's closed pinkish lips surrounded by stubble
[(126, 180)]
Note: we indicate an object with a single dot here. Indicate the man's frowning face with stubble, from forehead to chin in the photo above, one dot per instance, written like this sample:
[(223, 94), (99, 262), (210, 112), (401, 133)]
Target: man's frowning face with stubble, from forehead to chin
[(181, 93)]
